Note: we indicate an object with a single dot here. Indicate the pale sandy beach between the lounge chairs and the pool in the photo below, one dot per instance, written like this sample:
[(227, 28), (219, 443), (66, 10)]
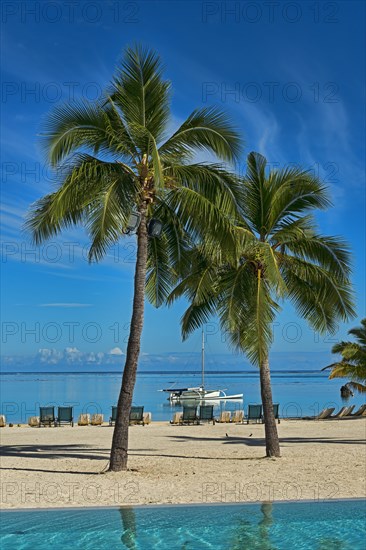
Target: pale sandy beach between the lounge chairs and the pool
[(46, 467)]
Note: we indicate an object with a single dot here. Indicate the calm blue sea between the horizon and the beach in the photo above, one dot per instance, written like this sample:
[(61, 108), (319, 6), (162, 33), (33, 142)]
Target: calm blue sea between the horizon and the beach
[(299, 393)]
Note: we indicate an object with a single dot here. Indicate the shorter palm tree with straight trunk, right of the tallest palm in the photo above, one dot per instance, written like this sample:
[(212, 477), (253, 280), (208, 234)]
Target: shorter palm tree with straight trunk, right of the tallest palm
[(280, 255)]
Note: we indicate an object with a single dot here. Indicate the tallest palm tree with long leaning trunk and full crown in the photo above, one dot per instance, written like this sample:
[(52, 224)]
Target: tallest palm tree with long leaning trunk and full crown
[(113, 157)]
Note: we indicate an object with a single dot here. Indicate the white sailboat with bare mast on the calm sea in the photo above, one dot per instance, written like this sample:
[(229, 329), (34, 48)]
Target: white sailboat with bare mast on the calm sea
[(199, 393)]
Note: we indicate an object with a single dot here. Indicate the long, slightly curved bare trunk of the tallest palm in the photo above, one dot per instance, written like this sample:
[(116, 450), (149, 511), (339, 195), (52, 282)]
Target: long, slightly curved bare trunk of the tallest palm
[(119, 450)]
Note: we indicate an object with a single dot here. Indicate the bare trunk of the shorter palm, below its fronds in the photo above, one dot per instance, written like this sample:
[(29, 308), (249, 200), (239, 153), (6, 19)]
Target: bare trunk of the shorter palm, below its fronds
[(270, 428)]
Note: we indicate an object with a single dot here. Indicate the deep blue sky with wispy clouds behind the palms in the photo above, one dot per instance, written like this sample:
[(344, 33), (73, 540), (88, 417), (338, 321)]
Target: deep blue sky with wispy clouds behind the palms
[(290, 74)]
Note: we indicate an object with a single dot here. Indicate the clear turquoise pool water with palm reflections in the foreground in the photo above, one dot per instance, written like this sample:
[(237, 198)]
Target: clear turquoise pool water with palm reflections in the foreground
[(332, 525)]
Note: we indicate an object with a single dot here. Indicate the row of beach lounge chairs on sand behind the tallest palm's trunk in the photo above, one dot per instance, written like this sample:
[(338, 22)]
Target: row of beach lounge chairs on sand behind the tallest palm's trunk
[(47, 417)]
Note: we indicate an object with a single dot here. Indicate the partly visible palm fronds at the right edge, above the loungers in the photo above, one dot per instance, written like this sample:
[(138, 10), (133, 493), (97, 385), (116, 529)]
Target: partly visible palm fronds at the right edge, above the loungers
[(353, 363)]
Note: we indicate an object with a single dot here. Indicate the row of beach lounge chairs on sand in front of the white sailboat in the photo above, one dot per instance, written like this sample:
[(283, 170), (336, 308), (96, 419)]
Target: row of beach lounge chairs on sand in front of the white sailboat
[(205, 413)]
